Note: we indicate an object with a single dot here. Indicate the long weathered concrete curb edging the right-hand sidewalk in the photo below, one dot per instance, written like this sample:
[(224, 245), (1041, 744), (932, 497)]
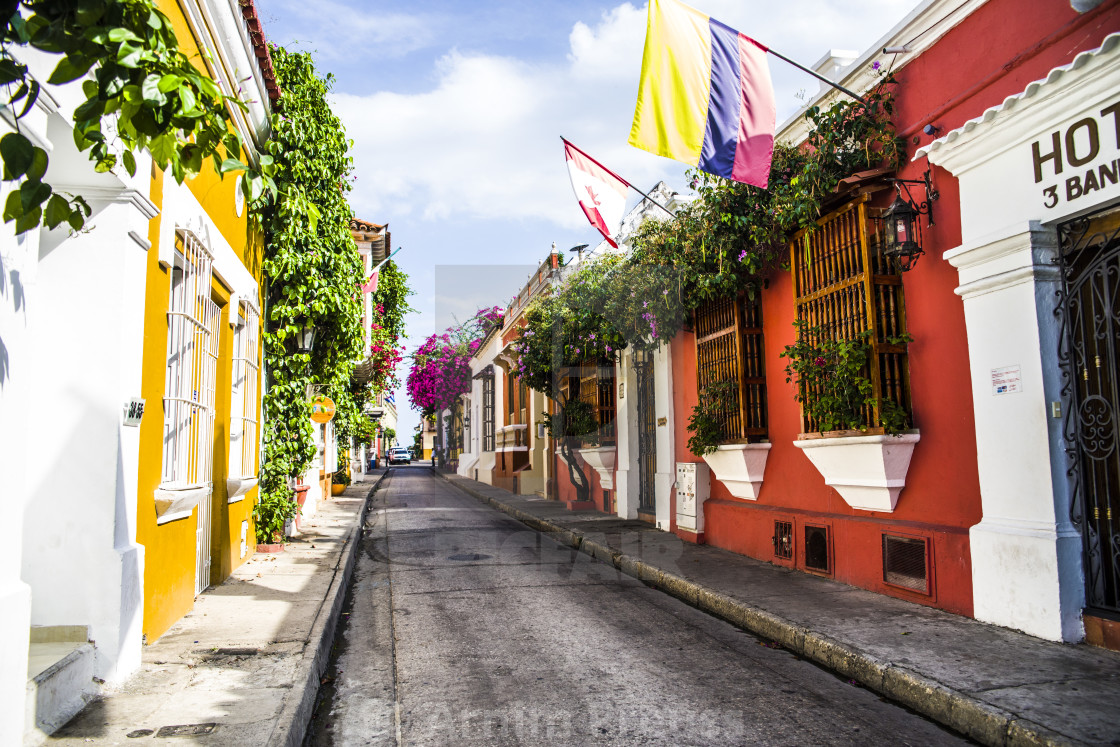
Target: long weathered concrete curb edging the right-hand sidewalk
[(957, 711)]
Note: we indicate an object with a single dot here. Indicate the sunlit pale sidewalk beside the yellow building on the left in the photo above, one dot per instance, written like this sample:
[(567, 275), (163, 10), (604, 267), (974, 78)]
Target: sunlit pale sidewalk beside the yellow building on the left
[(244, 667)]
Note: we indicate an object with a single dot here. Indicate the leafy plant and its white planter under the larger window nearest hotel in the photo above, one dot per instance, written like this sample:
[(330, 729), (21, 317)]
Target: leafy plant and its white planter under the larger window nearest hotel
[(863, 449)]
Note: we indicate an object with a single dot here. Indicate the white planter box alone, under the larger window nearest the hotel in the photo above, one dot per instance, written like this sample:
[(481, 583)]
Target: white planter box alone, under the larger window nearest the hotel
[(869, 472)]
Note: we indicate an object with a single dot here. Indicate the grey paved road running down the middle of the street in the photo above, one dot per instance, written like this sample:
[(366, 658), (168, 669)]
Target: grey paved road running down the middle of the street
[(464, 628)]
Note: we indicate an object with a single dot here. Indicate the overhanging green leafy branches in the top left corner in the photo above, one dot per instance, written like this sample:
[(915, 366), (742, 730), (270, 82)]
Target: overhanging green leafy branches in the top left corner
[(144, 94)]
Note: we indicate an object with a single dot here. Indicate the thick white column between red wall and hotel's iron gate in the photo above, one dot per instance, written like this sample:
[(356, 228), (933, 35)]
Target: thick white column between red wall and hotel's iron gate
[(1026, 554)]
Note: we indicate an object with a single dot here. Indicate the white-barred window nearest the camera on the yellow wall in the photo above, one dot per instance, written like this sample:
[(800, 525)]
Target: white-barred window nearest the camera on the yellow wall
[(192, 368)]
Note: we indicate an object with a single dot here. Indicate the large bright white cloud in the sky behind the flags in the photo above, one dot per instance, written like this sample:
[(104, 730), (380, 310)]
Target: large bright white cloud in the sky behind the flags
[(484, 143)]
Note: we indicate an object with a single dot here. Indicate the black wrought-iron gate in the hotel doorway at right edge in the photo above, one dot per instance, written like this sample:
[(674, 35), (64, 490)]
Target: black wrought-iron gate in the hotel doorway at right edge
[(1090, 357)]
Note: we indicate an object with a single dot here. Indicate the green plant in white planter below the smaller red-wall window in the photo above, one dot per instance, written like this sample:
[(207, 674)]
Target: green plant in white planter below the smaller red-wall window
[(739, 466)]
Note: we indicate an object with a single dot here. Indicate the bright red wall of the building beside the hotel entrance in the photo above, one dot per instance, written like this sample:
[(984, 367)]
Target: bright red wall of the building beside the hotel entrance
[(994, 54)]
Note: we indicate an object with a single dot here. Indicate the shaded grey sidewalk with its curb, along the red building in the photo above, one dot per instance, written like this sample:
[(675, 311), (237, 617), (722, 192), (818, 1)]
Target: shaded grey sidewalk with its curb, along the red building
[(994, 685)]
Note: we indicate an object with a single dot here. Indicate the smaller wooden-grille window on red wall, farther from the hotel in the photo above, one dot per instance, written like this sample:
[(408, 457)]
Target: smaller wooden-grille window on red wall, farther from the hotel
[(730, 349)]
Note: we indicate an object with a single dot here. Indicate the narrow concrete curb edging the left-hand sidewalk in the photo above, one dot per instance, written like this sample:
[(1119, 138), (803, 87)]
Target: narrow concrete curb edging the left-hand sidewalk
[(300, 707)]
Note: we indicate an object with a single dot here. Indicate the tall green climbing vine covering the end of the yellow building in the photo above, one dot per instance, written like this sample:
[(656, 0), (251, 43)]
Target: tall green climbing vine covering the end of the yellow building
[(312, 273)]
